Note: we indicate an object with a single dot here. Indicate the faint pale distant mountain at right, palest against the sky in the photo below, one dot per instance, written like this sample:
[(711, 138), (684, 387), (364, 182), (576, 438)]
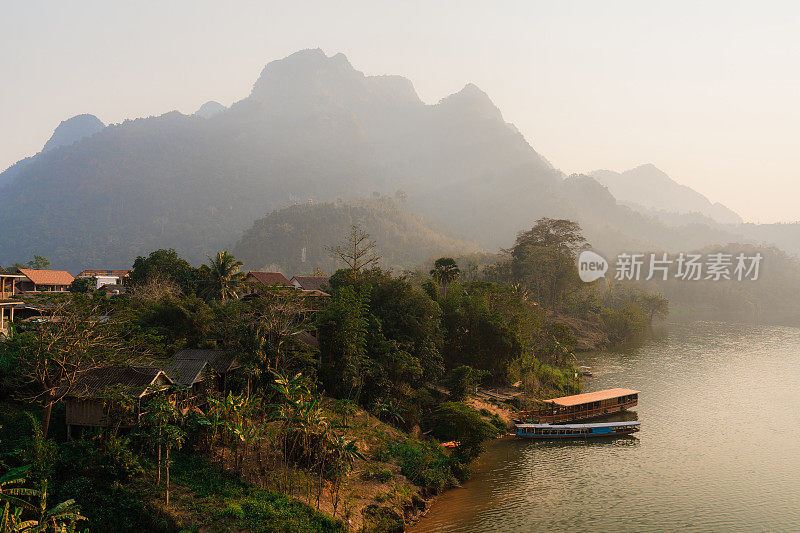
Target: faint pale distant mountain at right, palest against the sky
[(648, 189)]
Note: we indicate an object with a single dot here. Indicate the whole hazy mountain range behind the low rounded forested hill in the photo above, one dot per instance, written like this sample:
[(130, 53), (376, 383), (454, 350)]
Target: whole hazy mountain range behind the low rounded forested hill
[(314, 129)]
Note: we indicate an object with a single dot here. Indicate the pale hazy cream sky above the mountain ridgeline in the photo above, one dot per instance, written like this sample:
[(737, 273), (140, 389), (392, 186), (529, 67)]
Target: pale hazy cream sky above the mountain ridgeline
[(707, 91)]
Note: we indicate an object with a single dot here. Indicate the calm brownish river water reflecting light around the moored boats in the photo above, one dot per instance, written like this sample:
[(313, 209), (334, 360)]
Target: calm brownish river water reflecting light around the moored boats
[(719, 448)]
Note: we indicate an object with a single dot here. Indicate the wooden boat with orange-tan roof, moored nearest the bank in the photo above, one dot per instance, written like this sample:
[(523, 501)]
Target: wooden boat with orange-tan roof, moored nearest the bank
[(581, 406)]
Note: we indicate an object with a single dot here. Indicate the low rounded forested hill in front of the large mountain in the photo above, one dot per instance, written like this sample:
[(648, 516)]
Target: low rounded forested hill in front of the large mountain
[(295, 239)]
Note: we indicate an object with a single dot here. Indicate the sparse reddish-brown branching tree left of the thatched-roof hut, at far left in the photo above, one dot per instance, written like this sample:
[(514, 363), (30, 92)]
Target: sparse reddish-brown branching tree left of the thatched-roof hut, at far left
[(51, 355)]
